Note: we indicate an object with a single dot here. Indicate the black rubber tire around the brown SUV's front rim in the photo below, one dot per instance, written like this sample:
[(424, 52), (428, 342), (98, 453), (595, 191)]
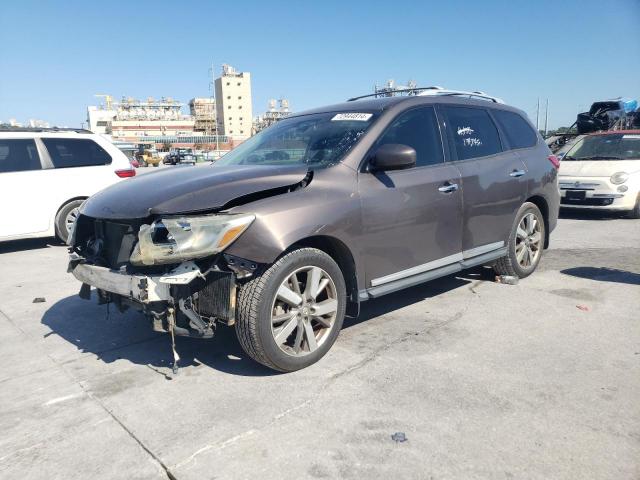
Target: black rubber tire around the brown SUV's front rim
[(255, 301)]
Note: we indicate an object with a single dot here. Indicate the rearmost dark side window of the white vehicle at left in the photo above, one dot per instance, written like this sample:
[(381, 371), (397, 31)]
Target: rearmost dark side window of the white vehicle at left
[(71, 152)]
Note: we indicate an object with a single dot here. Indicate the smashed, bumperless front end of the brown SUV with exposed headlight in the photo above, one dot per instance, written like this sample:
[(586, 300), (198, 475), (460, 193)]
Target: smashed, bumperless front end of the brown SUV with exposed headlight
[(172, 268)]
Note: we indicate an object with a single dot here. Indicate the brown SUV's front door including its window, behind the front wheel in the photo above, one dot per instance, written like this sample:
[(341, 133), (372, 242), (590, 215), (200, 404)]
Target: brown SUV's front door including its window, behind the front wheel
[(412, 219)]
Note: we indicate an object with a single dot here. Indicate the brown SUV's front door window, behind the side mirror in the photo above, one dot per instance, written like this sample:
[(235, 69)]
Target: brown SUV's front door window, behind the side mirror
[(417, 128)]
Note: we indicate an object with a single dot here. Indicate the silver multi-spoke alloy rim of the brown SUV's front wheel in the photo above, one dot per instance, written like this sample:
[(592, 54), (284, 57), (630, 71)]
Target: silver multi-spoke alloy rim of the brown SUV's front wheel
[(304, 311)]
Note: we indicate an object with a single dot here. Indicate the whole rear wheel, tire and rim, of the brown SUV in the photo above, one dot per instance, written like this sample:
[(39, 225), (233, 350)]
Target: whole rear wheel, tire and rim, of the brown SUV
[(526, 243)]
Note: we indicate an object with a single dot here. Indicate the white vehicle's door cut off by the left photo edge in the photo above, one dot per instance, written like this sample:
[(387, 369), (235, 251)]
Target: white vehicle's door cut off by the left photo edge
[(22, 185)]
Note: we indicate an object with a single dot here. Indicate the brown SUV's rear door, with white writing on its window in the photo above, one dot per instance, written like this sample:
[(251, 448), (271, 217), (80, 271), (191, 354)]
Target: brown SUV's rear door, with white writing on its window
[(494, 179)]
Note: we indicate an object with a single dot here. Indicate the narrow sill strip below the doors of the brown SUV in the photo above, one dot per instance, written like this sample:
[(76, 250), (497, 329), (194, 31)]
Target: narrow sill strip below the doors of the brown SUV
[(406, 282)]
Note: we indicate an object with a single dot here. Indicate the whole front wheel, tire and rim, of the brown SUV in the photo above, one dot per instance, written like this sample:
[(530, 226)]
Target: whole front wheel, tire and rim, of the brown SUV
[(290, 315)]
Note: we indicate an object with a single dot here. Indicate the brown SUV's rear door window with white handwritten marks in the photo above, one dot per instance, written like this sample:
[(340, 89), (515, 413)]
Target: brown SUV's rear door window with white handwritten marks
[(473, 132)]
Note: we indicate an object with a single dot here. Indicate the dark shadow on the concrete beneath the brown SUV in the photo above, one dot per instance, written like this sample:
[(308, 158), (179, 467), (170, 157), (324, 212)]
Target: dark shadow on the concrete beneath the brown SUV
[(111, 336)]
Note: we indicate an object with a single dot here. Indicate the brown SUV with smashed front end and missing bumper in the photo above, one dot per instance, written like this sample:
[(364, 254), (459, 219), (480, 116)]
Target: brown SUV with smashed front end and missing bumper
[(290, 231)]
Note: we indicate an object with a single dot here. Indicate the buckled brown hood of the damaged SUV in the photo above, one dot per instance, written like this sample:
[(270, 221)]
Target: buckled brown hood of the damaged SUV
[(188, 189)]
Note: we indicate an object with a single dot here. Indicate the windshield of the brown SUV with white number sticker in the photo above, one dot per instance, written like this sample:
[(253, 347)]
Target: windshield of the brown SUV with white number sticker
[(318, 140)]
